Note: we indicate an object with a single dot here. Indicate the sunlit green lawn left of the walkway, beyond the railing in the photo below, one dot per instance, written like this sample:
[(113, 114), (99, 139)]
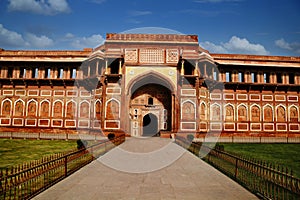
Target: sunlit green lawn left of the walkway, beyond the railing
[(18, 151)]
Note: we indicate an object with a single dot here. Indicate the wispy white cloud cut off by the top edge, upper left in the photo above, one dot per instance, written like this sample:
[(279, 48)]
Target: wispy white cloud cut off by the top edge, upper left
[(45, 7)]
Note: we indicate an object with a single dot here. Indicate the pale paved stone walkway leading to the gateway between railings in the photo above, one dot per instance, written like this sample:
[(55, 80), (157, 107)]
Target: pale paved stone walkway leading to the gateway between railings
[(184, 176)]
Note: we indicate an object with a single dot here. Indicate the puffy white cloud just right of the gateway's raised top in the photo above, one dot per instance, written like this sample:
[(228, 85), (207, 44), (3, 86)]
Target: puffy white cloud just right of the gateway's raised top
[(236, 45)]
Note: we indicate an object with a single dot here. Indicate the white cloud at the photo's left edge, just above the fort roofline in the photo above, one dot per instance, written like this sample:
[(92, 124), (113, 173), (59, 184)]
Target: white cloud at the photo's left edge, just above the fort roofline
[(10, 38)]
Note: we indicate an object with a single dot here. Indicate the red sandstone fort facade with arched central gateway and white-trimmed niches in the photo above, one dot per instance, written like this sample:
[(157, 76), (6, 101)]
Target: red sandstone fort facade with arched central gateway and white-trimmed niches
[(142, 83)]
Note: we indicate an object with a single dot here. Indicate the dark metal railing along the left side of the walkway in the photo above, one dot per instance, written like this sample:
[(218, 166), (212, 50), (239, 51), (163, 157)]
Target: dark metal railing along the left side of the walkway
[(27, 180)]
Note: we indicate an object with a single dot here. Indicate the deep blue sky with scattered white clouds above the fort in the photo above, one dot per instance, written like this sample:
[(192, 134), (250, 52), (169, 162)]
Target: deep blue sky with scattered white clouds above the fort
[(263, 27)]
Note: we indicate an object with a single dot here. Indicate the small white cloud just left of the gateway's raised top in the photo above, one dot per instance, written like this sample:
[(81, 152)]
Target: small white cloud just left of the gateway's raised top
[(84, 42)]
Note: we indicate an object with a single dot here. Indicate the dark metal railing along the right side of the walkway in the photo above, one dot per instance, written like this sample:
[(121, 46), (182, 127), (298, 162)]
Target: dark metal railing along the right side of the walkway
[(265, 180)]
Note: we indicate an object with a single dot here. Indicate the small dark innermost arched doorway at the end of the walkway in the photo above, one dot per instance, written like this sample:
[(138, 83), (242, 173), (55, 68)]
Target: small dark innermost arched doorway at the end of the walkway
[(150, 125)]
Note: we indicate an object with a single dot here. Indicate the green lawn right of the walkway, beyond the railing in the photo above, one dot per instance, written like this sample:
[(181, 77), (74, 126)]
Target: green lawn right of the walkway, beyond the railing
[(286, 155)]
